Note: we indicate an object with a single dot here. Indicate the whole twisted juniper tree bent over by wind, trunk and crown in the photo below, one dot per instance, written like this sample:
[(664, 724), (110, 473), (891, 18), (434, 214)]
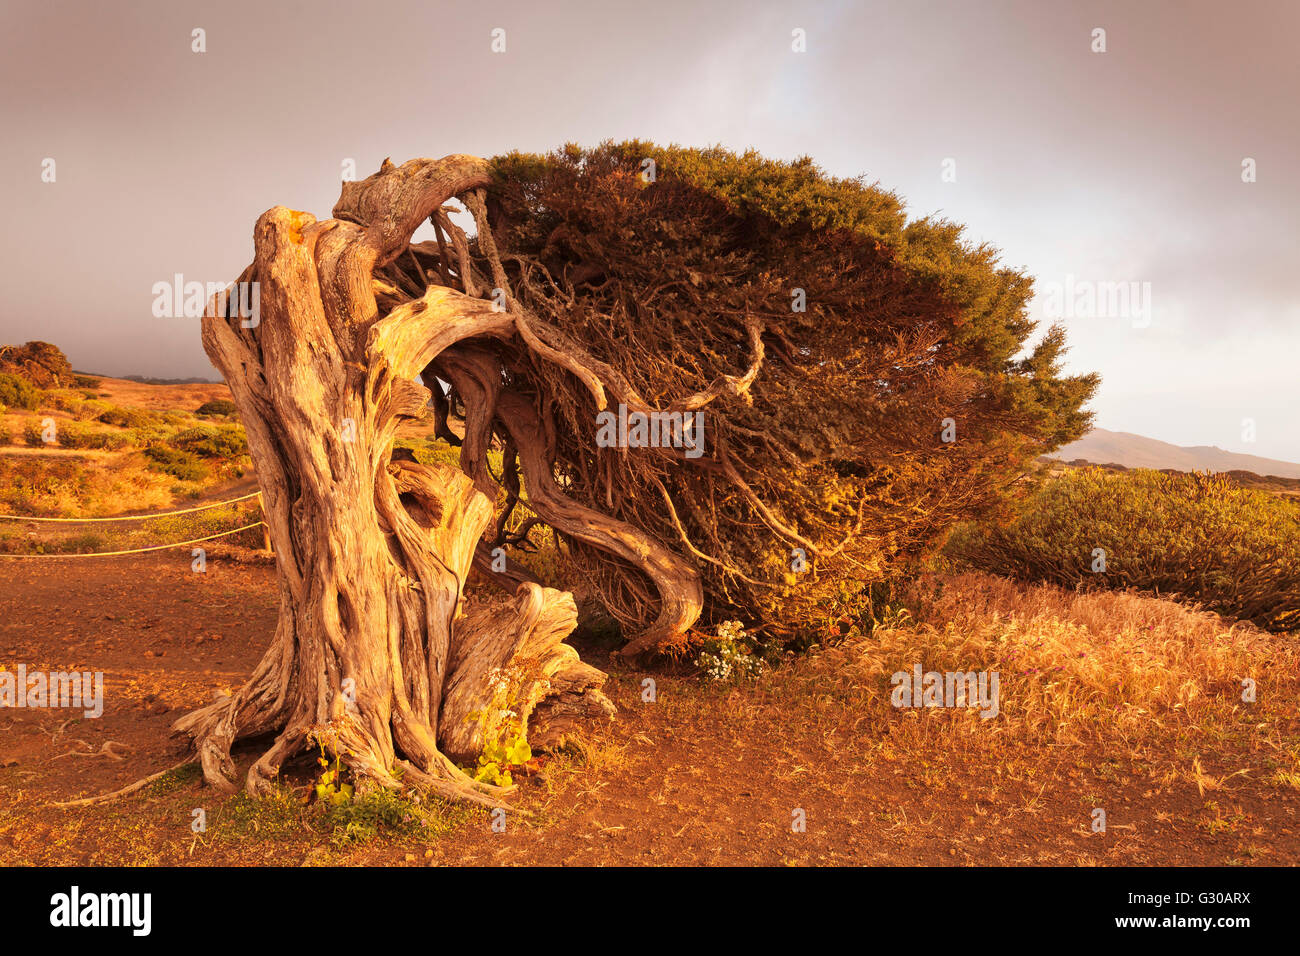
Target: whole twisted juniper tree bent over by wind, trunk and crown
[(855, 386)]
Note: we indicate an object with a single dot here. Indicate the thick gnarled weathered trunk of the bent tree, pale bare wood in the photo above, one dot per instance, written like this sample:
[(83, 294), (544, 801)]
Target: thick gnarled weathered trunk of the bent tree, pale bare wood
[(380, 655)]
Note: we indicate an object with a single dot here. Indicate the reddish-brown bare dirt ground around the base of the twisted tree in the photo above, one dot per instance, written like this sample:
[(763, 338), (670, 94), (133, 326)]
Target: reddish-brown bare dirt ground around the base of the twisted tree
[(701, 776)]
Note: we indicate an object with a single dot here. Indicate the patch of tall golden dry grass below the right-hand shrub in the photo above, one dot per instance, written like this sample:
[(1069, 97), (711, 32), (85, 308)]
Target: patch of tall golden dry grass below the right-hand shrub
[(1146, 678)]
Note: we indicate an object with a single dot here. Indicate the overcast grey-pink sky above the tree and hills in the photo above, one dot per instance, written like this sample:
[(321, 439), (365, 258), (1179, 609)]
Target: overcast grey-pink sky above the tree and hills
[(1117, 167)]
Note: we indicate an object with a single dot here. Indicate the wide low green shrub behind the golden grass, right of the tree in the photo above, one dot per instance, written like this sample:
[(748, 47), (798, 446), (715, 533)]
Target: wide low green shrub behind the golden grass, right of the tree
[(1201, 538)]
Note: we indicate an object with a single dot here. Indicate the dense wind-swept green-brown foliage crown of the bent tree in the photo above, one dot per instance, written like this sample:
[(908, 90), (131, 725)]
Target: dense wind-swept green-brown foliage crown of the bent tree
[(863, 378)]
